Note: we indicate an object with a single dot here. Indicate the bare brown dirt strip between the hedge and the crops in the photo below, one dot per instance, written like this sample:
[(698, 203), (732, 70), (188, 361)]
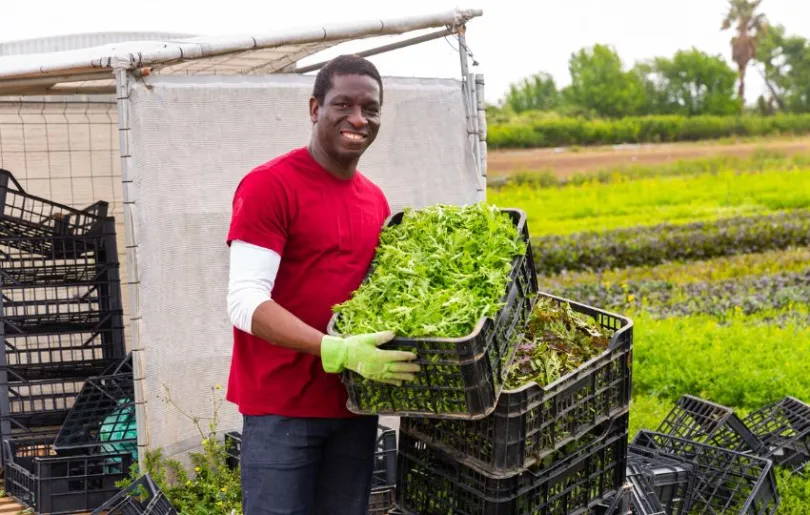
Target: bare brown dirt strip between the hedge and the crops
[(565, 162)]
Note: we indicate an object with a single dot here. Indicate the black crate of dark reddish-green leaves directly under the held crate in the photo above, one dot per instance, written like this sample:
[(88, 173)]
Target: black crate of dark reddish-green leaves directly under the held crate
[(571, 373)]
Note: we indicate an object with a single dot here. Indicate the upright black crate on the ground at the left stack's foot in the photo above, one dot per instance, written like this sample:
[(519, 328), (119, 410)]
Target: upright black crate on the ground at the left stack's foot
[(47, 483)]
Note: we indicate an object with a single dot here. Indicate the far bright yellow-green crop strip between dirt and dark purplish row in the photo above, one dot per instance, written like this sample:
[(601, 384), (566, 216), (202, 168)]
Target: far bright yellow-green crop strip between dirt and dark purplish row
[(634, 202)]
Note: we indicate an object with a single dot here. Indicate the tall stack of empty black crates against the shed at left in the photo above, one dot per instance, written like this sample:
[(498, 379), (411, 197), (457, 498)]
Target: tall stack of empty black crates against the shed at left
[(63, 334)]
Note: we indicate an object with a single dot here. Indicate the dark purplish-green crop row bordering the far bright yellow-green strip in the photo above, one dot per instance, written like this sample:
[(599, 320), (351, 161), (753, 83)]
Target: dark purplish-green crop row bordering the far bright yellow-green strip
[(654, 245)]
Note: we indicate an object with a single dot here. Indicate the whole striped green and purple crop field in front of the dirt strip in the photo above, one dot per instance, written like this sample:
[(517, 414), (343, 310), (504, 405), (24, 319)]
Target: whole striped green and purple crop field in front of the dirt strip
[(711, 262)]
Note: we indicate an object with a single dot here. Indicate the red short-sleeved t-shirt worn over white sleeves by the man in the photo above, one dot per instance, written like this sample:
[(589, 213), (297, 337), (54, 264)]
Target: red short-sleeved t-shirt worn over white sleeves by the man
[(326, 231)]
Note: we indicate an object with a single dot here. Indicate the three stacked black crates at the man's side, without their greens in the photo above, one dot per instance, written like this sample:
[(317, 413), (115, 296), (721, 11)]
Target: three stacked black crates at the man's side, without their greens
[(467, 446)]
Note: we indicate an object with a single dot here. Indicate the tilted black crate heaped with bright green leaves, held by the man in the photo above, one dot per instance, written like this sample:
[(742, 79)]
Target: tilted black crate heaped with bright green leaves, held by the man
[(454, 283)]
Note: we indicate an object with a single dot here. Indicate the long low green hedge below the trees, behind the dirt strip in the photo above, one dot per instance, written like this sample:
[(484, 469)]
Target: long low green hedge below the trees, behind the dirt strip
[(560, 131)]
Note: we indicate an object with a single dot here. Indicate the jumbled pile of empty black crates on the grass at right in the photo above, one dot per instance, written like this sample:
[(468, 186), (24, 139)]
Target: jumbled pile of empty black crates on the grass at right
[(703, 458)]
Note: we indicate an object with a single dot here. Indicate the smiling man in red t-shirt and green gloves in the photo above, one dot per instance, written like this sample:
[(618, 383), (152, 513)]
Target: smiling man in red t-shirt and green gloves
[(303, 233)]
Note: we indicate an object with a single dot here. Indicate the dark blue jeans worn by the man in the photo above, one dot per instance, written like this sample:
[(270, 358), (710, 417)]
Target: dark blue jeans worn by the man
[(307, 466)]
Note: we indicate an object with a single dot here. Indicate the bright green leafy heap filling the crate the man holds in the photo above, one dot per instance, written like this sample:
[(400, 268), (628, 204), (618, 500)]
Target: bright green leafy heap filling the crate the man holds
[(436, 273)]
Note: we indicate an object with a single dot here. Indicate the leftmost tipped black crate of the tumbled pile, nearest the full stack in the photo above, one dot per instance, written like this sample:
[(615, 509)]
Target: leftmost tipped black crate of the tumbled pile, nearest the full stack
[(664, 484)]
